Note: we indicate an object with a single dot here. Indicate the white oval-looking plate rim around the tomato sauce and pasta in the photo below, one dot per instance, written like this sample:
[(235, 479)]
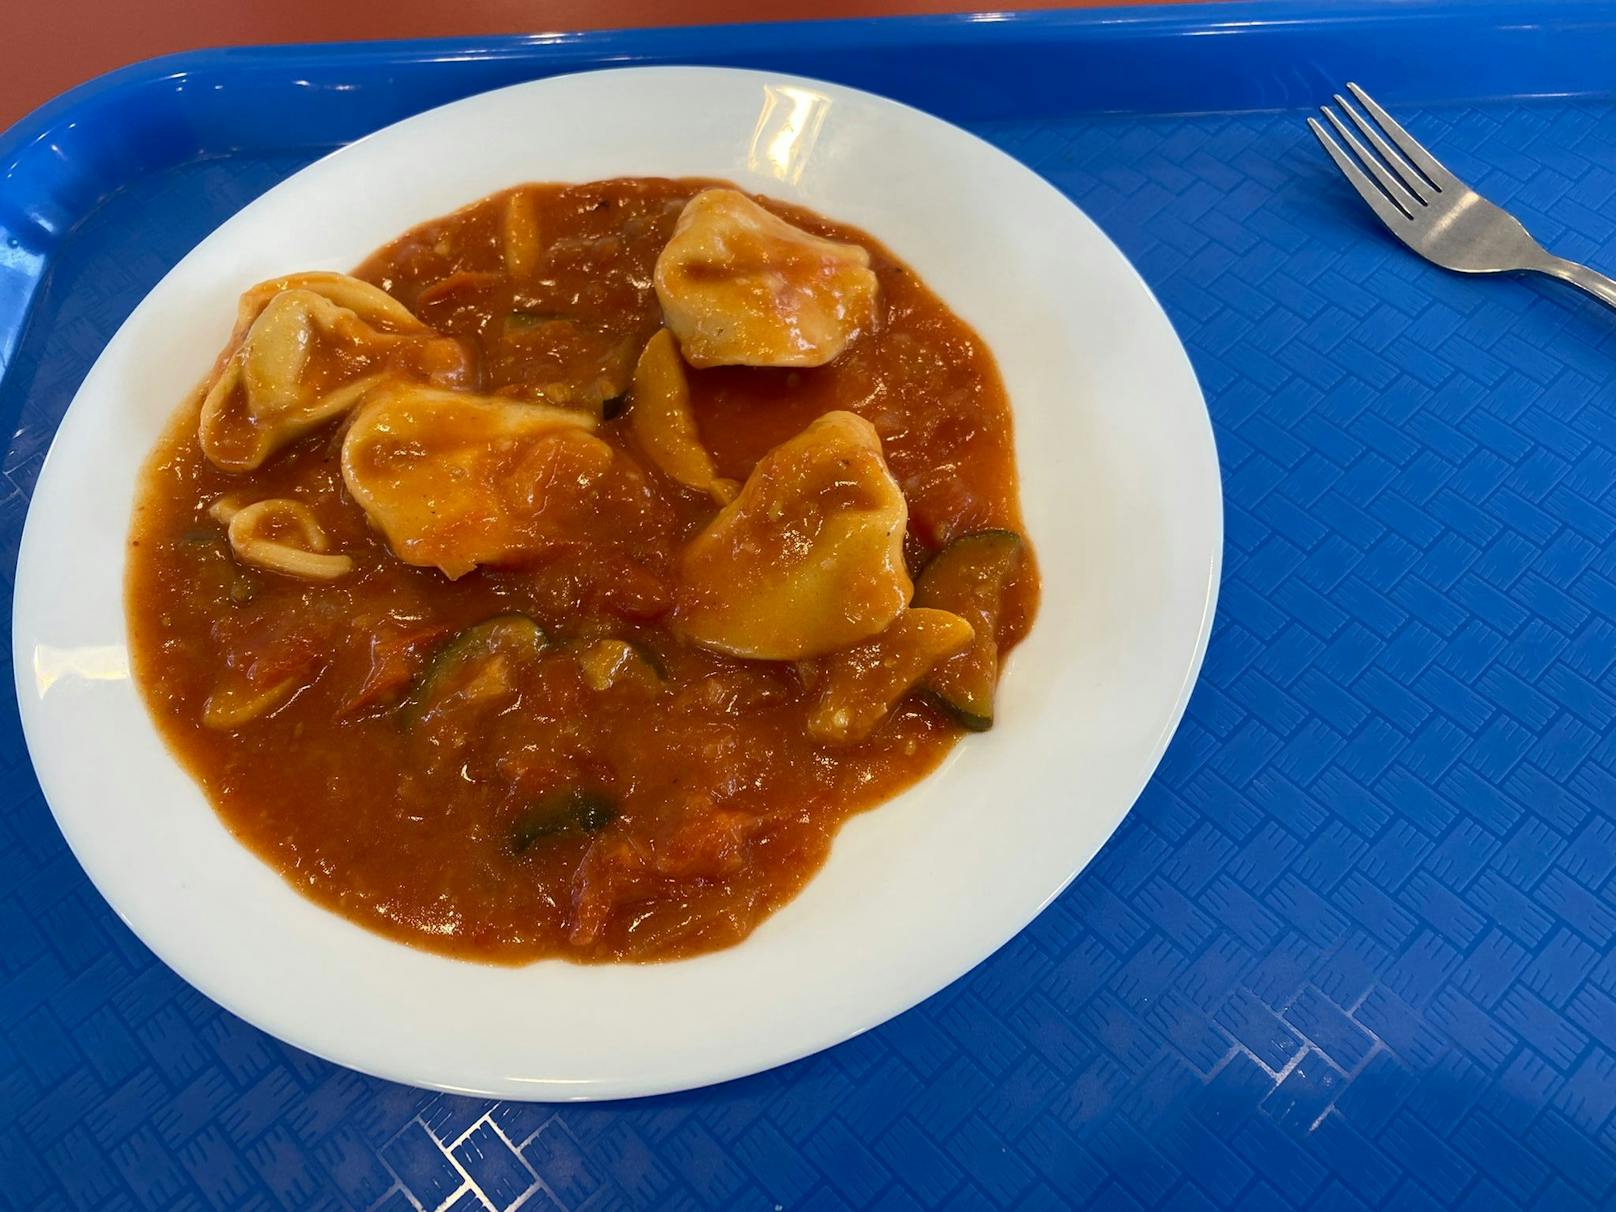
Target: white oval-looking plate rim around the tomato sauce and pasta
[(1122, 499)]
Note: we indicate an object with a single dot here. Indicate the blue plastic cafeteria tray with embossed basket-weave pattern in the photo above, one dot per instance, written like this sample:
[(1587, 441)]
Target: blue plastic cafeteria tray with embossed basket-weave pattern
[(1353, 948)]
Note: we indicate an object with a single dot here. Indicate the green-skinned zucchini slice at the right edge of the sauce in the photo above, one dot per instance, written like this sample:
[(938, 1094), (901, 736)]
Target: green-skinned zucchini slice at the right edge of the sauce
[(967, 578)]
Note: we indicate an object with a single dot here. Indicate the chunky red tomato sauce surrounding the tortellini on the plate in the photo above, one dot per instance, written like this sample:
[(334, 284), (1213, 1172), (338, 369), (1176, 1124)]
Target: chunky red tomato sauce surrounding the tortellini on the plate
[(681, 797)]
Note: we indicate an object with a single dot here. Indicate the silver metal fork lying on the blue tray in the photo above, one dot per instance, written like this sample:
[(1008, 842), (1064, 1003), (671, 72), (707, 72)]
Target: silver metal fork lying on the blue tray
[(1433, 211)]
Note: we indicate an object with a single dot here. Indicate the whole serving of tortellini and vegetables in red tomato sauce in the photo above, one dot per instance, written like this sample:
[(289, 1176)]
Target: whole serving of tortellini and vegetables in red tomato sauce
[(500, 626)]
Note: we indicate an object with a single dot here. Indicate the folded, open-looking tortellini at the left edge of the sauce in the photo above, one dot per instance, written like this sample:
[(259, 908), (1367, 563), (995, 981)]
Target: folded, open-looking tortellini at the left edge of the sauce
[(306, 350)]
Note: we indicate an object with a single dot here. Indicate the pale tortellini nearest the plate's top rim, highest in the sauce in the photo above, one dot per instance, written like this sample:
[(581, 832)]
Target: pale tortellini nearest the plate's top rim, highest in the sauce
[(741, 287)]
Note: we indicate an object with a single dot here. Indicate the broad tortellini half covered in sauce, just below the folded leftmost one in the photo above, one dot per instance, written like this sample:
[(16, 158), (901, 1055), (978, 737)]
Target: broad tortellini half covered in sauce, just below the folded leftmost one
[(455, 481)]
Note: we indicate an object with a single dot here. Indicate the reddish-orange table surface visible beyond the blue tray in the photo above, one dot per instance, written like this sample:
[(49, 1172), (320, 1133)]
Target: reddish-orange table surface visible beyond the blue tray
[(53, 44)]
